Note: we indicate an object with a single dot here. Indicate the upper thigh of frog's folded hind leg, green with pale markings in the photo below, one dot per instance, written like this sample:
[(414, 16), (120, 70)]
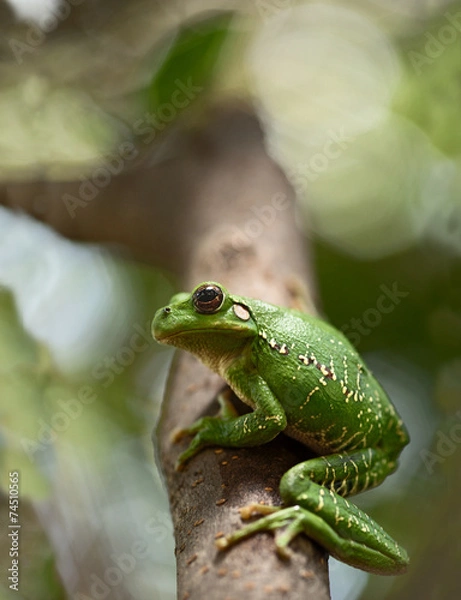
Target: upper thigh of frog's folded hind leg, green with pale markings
[(347, 473)]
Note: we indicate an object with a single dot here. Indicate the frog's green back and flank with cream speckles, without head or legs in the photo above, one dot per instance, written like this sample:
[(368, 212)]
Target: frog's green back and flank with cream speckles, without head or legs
[(332, 401)]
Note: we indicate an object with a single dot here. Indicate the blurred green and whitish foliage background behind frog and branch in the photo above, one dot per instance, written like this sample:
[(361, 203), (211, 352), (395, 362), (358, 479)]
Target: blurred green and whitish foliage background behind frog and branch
[(360, 104)]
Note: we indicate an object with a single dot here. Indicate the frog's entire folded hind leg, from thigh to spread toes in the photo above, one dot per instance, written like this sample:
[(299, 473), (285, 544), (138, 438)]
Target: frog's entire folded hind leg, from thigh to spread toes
[(314, 507)]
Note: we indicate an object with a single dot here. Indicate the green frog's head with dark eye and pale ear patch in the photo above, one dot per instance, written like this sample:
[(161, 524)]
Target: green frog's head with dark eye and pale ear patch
[(207, 322)]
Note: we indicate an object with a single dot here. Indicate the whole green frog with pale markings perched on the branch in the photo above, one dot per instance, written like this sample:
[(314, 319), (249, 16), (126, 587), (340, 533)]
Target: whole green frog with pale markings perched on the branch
[(301, 376)]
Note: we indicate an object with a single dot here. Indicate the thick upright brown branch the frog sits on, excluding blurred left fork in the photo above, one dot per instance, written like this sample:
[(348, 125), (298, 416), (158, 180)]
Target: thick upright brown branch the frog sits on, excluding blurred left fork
[(253, 250)]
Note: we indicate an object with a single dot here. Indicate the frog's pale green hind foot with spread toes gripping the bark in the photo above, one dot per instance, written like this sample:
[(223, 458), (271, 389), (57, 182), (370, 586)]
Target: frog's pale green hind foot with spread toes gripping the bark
[(289, 519)]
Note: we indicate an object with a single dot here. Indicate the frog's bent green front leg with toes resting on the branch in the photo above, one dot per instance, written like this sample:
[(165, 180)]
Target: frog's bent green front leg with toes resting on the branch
[(230, 430)]
